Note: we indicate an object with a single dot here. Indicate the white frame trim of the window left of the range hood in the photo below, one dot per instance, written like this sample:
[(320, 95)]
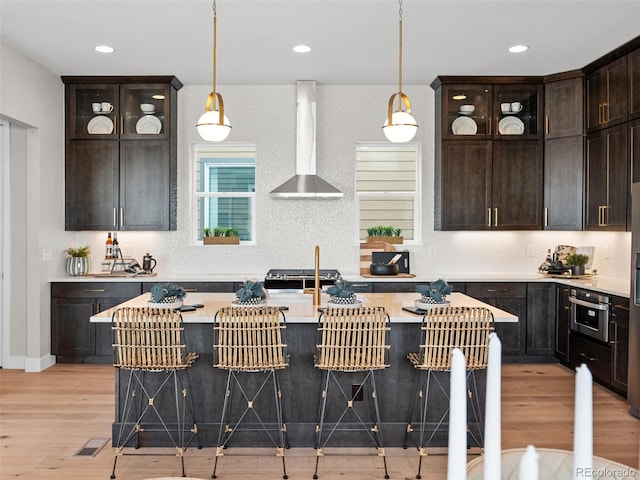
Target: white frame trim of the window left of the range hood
[(193, 197)]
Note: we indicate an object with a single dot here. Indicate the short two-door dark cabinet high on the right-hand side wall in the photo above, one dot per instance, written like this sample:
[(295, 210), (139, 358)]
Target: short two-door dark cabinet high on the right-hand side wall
[(606, 95)]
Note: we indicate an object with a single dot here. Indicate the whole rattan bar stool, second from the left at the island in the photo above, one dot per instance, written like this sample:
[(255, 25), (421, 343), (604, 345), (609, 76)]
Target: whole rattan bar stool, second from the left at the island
[(251, 340)]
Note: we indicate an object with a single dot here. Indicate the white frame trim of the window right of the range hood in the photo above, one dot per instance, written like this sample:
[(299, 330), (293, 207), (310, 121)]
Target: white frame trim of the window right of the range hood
[(418, 195)]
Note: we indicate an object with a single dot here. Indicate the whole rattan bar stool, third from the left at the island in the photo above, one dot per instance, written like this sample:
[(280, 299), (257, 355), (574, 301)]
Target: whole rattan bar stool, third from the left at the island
[(351, 340)]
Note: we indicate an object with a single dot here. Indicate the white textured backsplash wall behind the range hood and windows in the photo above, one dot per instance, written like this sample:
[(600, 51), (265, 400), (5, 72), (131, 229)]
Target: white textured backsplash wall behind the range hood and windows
[(288, 229)]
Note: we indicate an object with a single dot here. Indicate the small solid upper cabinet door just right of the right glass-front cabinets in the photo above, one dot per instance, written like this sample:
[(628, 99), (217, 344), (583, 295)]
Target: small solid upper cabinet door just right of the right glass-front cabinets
[(563, 106)]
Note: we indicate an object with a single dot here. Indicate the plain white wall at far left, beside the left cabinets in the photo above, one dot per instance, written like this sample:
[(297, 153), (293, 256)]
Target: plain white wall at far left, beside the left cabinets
[(32, 101)]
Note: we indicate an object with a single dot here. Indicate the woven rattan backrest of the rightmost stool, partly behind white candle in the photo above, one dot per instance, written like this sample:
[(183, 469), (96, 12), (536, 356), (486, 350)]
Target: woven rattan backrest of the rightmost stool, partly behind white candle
[(446, 328)]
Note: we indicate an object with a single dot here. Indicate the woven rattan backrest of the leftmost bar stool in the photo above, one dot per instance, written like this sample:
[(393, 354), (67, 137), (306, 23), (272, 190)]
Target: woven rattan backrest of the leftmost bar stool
[(149, 339)]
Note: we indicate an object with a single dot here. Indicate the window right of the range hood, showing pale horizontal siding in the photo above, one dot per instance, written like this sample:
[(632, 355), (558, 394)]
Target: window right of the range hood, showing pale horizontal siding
[(388, 188)]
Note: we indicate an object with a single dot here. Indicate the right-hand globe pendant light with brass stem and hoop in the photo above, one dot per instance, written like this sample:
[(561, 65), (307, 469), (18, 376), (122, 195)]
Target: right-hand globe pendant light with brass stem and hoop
[(399, 126)]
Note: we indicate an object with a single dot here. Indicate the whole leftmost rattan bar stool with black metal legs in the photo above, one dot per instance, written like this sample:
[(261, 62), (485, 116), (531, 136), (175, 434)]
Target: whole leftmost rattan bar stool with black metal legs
[(149, 344)]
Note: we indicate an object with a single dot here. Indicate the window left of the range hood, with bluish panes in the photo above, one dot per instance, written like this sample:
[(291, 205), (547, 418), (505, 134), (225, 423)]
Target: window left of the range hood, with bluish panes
[(225, 180)]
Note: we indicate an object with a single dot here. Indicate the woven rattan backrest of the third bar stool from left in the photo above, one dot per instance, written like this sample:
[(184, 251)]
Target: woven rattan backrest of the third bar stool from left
[(353, 339)]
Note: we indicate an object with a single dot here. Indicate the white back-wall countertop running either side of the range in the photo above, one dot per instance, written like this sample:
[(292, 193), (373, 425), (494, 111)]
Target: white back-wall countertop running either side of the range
[(608, 285)]
